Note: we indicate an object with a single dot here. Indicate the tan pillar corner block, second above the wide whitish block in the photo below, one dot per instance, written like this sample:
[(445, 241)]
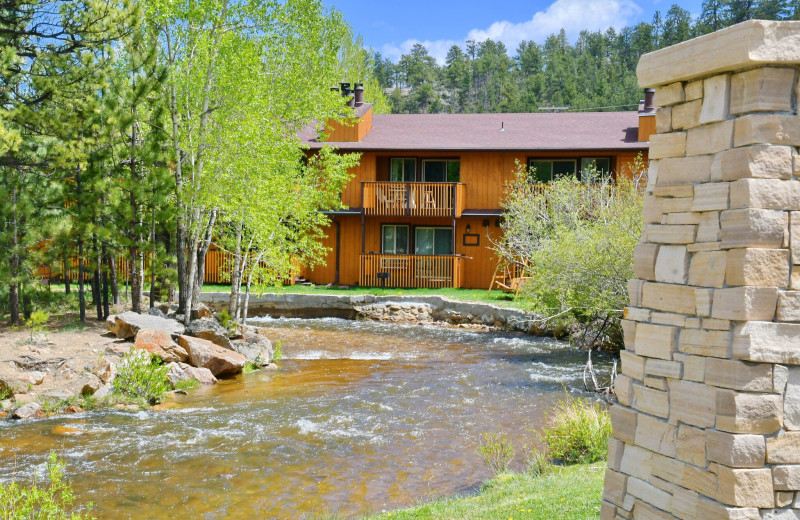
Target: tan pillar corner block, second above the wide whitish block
[(758, 267)]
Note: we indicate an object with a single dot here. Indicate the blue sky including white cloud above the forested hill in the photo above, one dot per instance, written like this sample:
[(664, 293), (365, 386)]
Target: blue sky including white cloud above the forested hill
[(393, 27)]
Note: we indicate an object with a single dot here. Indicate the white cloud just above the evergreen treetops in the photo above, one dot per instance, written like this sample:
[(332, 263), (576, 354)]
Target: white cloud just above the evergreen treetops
[(571, 15)]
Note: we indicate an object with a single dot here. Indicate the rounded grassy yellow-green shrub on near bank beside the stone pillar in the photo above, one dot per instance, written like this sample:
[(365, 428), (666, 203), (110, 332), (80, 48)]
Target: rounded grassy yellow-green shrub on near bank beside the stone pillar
[(577, 432)]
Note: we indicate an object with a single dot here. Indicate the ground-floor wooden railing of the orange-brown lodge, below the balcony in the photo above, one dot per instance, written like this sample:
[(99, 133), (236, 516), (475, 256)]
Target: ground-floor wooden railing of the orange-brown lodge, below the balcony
[(405, 271)]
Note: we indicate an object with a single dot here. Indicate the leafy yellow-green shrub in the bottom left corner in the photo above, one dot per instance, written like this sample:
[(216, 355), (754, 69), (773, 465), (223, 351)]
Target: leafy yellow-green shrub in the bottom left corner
[(52, 502)]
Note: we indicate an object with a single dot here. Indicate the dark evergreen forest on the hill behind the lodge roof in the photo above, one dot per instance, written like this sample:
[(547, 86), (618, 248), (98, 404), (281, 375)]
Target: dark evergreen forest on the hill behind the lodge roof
[(597, 72)]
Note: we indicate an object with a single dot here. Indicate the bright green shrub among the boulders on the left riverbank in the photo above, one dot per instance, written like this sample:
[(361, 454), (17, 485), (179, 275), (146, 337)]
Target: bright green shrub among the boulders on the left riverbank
[(141, 375)]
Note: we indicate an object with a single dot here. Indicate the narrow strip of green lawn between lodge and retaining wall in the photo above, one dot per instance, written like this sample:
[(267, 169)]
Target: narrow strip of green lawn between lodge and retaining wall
[(473, 295)]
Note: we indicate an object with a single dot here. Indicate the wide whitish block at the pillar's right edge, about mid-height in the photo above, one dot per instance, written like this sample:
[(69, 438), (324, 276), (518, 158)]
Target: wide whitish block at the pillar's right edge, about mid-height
[(767, 342)]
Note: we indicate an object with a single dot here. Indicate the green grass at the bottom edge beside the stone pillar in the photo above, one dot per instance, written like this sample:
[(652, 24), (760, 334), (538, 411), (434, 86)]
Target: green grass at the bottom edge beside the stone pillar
[(567, 493)]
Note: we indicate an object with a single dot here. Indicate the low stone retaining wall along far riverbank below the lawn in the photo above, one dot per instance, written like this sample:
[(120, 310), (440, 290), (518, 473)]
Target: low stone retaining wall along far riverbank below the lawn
[(389, 308)]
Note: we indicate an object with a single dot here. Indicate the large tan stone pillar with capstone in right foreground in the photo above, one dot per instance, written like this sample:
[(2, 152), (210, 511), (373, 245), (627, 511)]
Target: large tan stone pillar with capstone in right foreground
[(708, 421)]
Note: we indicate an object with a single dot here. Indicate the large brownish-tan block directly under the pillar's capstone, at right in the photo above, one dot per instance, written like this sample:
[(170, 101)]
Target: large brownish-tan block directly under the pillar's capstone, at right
[(763, 89)]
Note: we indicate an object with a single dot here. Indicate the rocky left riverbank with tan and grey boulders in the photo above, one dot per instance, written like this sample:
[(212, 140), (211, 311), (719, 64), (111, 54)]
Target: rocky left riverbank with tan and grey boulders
[(61, 370)]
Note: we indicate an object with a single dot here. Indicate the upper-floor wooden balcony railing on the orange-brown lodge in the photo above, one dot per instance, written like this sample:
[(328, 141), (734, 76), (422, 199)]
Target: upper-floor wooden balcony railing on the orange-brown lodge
[(419, 199)]
